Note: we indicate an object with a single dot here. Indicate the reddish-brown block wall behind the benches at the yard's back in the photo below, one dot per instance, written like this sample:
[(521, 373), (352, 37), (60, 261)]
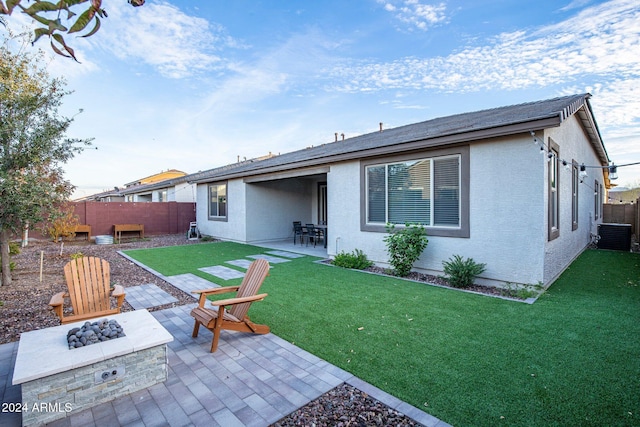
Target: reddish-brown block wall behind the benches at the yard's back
[(157, 217)]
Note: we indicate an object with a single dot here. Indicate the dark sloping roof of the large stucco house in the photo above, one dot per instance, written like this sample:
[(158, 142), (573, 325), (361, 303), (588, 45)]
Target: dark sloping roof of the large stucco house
[(459, 128)]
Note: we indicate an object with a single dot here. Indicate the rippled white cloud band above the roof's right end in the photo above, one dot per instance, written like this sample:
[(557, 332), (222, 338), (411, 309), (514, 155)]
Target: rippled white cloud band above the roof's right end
[(591, 43)]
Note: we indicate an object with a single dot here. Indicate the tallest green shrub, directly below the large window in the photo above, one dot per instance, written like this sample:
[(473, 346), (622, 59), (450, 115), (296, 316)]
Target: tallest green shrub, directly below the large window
[(405, 245)]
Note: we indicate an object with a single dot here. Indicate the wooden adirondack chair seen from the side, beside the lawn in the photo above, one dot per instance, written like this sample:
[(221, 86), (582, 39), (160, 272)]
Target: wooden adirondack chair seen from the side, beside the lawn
[(235, 318)]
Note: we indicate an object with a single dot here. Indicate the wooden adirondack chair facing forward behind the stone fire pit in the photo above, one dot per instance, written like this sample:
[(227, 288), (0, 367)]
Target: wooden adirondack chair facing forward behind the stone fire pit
[(88, 284)]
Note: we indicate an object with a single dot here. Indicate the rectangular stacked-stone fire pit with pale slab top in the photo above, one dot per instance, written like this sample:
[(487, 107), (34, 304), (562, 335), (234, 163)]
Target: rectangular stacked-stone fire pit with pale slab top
[(57, 382)]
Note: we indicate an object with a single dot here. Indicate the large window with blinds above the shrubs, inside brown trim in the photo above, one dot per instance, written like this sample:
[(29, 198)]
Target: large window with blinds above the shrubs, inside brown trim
[(421, 191)]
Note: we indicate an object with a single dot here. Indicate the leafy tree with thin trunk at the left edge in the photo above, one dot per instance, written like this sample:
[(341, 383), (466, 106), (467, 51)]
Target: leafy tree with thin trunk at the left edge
[(32, 147)]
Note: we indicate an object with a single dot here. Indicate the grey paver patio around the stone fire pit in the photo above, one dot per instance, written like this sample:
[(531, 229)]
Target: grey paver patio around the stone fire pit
[(252, 380)]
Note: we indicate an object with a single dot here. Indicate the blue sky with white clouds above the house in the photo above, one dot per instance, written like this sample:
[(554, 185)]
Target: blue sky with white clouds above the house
[(193, 85)]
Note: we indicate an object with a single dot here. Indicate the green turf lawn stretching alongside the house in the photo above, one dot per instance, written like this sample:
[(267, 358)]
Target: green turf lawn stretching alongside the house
[(570, 359)]
